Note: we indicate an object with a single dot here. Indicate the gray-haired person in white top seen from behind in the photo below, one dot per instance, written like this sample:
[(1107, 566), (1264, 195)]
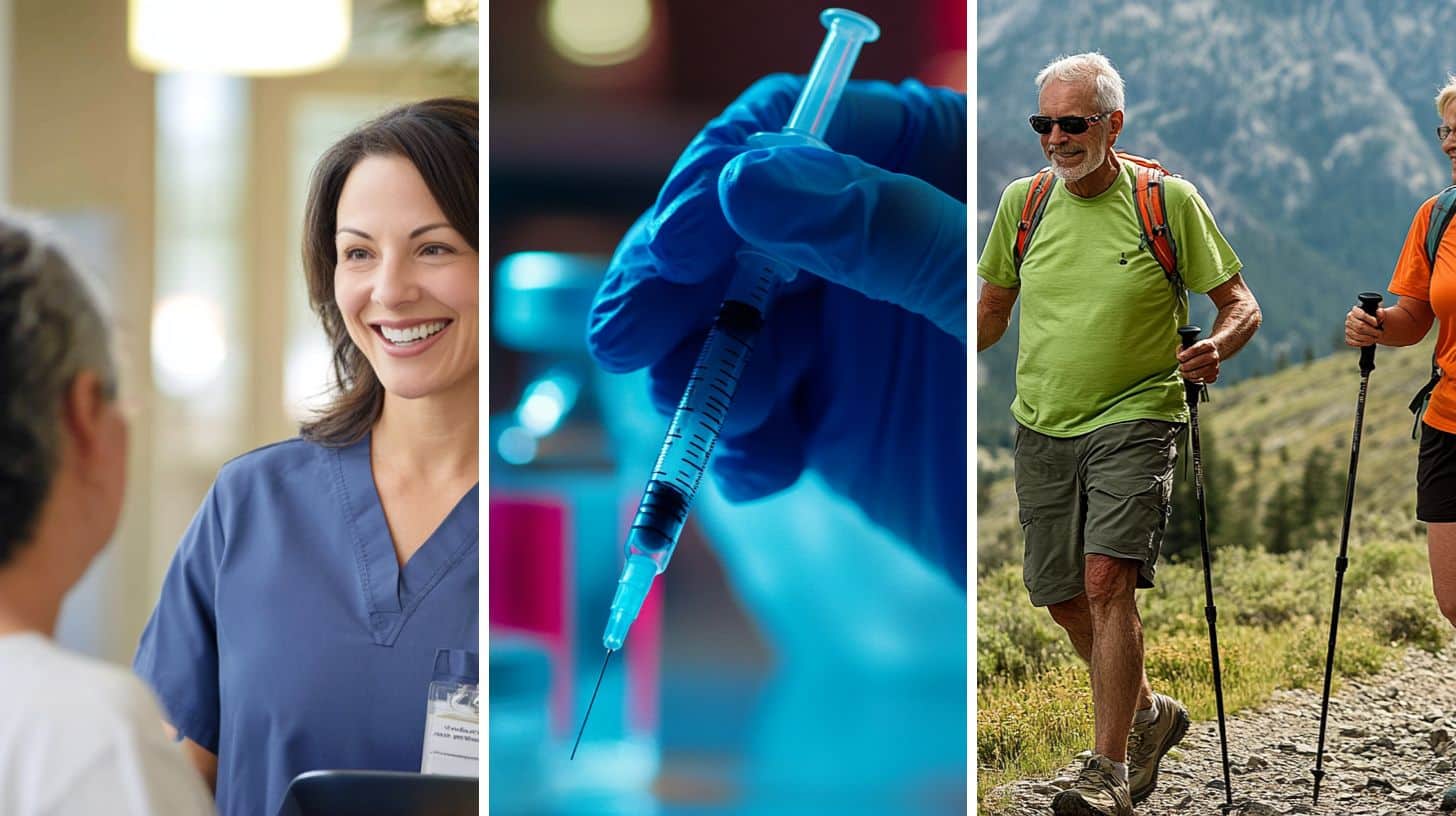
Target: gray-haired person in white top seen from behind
[(76, 735)]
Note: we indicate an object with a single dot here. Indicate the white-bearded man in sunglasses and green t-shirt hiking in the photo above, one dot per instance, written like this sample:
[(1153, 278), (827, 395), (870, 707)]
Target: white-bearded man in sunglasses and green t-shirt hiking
[(1099, 403)]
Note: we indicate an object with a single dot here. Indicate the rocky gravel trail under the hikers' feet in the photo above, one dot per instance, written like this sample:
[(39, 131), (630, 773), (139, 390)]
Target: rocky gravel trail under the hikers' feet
[(1391, 751)]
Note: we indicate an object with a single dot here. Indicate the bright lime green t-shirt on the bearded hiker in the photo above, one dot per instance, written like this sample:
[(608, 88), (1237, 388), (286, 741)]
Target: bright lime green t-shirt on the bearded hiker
[(1099, 317)]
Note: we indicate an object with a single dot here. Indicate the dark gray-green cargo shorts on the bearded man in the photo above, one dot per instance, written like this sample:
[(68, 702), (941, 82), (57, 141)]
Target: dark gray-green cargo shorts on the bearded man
[(1107, 492)]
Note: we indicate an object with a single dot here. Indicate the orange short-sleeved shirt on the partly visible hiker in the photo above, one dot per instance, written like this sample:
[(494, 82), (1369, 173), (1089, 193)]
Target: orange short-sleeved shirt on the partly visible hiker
[(1415, 279)]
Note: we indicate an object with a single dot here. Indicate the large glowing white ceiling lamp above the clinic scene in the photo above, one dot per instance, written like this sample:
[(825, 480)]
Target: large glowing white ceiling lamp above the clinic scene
[(238, 37)]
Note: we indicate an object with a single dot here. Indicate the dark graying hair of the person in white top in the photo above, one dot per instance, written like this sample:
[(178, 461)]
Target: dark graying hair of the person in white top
[(52, 330)]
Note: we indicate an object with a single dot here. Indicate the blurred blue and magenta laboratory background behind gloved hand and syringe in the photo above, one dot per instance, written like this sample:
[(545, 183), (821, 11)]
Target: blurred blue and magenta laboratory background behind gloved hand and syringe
[(794, 659)]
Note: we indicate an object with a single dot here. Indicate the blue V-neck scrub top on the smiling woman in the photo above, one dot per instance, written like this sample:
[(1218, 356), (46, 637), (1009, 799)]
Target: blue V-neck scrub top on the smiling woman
[(289, 639)]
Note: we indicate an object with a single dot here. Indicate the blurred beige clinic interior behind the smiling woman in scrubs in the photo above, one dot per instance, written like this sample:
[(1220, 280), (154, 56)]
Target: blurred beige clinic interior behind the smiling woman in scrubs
[(170, 142)]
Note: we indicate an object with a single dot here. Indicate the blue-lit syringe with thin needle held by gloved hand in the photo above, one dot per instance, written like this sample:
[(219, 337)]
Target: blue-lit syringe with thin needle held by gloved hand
[(700, 417)]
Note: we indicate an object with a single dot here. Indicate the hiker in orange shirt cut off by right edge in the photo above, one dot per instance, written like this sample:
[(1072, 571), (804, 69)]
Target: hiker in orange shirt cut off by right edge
[(1425, 282)]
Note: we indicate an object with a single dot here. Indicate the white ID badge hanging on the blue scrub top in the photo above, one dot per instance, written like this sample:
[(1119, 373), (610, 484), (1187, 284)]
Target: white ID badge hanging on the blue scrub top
[(454, 716)]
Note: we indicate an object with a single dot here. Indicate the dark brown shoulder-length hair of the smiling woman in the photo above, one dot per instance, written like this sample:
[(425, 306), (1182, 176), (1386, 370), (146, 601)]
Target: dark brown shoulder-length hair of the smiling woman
[(442, 138)]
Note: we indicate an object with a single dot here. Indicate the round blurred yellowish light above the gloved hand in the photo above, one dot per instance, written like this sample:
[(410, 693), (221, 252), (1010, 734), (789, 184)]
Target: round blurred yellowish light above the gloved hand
[(599, 33)]
